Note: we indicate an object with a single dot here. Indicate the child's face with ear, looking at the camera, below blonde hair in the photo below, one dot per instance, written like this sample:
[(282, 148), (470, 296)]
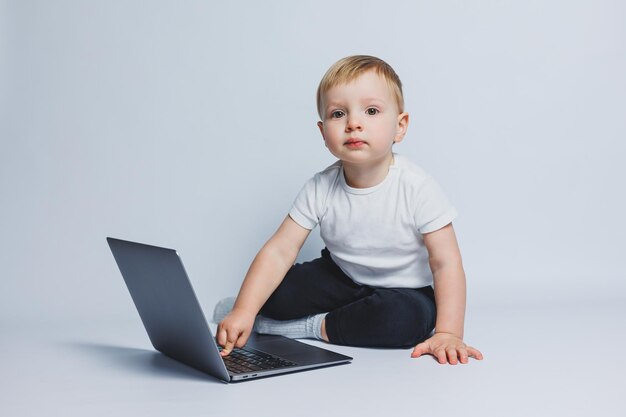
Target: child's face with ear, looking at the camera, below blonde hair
[(361, 120)]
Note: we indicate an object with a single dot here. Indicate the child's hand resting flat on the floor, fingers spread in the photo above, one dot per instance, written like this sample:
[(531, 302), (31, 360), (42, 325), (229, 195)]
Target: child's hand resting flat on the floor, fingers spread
[(446, 347)]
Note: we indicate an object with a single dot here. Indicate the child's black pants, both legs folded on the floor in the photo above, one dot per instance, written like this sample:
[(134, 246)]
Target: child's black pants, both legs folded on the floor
[(358, 315)]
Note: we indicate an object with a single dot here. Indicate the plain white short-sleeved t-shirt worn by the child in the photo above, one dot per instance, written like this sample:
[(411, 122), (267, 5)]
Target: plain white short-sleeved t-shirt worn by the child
[(375, 234)]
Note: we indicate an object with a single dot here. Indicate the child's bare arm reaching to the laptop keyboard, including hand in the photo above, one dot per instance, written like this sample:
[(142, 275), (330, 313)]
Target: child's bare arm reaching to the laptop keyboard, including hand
[(265, 274)]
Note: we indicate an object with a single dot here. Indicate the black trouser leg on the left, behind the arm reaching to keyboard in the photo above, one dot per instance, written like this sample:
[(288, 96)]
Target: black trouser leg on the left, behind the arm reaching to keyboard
[(314, 287)]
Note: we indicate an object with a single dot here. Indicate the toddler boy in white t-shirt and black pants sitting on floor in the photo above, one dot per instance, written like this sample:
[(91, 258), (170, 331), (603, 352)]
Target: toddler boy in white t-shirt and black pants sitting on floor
[(387, 227)]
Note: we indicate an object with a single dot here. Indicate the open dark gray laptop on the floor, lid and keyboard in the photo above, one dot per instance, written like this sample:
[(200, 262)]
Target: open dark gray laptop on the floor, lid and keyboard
[(176, 325)]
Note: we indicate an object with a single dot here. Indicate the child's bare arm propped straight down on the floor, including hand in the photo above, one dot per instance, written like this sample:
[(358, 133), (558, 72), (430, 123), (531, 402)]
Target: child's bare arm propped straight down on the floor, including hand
[(449, 280)]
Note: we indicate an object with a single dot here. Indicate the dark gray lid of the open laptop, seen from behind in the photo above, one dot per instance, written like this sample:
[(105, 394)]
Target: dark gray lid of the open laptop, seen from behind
[(167, 305)]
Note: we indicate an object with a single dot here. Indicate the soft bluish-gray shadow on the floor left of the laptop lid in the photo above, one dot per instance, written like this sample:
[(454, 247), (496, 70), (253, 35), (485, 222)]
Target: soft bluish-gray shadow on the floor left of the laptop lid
[(141, 361)]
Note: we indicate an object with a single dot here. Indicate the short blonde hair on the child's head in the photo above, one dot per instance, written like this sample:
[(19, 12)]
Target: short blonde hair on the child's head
[(349, 68)]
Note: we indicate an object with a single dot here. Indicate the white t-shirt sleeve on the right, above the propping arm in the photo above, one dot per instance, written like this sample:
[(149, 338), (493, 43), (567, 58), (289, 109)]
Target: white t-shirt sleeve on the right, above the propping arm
[(433, 209)]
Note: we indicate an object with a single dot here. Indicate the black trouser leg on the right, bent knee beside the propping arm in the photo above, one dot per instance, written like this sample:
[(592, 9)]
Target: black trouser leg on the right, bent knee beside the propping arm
[(390, 317)]
